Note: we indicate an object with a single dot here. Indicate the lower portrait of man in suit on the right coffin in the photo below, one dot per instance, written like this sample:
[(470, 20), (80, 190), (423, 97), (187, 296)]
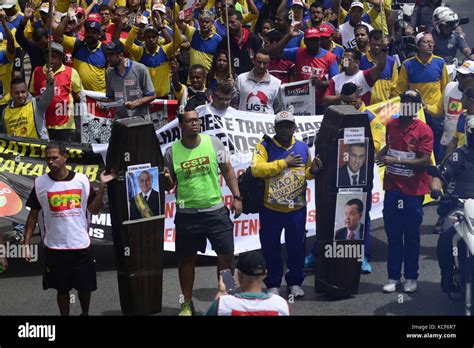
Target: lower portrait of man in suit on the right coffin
[(354, 229)]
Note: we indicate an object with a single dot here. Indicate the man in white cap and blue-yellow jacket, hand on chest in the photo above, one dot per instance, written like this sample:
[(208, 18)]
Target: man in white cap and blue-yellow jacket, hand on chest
[(285, 164)]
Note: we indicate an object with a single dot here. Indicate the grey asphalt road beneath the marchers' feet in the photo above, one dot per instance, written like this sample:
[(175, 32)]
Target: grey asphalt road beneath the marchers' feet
[(21, 287)]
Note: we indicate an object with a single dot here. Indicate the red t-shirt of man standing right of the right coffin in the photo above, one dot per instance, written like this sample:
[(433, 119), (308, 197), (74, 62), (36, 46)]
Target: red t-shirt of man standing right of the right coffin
[(416, 139)]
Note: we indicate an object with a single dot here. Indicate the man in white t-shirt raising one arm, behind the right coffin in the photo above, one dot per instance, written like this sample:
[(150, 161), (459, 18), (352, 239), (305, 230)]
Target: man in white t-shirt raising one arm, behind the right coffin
[(363, 79)]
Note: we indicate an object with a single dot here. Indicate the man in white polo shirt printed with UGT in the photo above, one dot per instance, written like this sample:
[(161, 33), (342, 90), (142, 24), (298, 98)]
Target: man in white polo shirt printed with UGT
[(257, 90)]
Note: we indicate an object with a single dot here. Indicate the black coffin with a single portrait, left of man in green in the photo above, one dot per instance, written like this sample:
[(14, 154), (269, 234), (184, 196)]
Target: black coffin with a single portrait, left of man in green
[(139, 245)]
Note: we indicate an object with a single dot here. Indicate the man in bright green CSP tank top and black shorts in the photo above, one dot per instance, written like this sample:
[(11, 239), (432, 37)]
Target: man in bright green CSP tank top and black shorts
[(192, 164)]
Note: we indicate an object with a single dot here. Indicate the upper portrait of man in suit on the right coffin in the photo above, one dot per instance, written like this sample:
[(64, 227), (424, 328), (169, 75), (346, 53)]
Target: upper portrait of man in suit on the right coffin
[(354, 171)]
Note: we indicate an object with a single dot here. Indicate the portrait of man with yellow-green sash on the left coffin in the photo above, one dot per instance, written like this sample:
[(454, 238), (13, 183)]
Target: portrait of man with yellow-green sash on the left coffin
[(147, 202)]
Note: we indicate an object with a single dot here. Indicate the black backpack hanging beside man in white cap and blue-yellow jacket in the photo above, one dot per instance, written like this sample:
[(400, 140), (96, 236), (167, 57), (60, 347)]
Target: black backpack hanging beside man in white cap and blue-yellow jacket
[(252, 188)]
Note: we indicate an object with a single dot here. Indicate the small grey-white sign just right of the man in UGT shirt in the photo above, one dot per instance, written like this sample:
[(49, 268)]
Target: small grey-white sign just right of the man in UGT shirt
[(300, 96)]
